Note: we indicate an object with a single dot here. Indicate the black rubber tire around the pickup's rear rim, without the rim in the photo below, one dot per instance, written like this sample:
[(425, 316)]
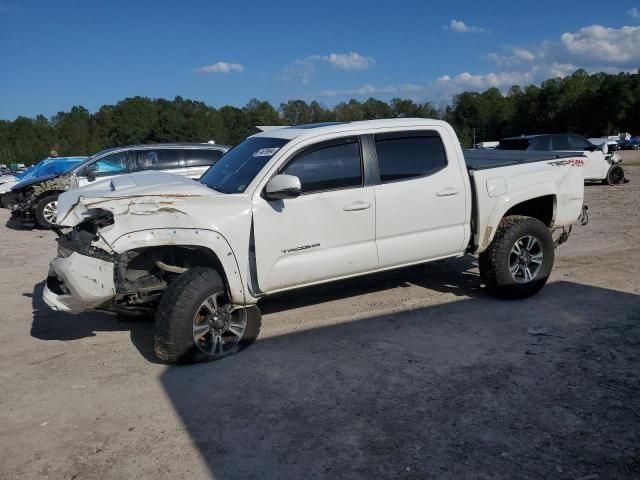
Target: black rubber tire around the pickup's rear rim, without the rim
[(495, 261)]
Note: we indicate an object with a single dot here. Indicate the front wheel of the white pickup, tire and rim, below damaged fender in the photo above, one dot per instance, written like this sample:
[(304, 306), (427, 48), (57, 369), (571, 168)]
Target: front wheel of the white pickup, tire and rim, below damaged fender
[(195, 321)]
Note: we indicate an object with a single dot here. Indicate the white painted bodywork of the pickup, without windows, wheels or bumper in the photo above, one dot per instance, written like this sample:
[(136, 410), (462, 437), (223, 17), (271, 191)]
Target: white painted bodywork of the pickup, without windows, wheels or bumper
[(313, 238)]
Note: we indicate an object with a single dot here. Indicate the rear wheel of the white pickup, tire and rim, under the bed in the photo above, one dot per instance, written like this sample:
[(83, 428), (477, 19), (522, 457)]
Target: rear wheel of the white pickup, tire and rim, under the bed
[(518, 262)]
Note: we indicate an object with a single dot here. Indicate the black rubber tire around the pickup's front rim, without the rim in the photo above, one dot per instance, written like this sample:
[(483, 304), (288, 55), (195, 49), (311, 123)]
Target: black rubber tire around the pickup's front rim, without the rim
[(180, 305)]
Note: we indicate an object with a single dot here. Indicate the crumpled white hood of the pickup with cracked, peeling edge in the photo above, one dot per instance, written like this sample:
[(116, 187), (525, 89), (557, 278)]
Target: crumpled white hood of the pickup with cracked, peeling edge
[(140, 193)]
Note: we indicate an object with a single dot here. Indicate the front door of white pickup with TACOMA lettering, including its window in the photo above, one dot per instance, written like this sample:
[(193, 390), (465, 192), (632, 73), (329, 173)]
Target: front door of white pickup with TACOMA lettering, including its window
[(328, 231)]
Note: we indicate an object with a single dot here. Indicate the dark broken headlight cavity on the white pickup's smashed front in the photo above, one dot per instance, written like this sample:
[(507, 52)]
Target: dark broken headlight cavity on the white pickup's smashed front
[(80, 238)]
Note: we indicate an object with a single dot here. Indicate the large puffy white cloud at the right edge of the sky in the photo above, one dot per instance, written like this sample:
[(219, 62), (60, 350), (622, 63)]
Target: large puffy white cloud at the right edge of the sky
[(598, 45)]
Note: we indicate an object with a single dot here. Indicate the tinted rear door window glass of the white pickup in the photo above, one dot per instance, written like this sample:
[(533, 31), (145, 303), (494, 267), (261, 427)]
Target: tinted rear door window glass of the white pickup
[(407, 155)]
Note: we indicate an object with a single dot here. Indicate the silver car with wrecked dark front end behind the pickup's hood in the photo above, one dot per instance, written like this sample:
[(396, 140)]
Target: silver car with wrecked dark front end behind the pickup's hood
[(34, 202)]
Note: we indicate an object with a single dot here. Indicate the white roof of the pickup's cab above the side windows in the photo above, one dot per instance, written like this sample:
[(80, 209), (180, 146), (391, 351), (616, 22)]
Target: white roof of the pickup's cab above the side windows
[(315, 129)]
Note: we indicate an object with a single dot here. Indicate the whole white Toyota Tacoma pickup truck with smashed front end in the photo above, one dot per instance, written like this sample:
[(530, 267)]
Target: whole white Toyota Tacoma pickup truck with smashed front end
[(299, 206)]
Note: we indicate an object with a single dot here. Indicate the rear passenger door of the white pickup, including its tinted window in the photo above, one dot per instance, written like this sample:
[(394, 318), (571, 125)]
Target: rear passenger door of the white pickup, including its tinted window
[(420, 201)]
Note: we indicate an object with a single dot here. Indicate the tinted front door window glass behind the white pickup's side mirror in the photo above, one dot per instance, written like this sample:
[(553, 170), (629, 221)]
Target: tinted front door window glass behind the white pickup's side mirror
[(328, 166)]
